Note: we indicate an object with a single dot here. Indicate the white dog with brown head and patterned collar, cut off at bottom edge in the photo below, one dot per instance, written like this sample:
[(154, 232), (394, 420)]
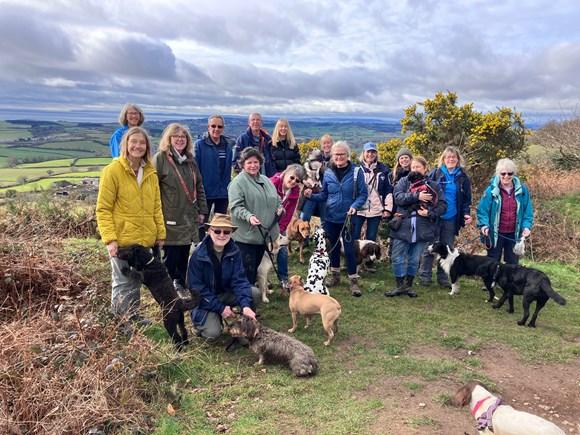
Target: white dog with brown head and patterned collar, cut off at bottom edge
[(495, 418)]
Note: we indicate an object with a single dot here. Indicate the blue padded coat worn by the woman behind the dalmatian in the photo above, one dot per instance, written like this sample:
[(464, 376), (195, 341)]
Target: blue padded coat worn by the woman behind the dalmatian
[(340, 196)]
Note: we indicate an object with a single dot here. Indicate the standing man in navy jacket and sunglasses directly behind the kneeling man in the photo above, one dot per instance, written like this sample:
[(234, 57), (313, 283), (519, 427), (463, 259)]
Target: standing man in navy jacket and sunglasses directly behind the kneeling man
[(214, 153)]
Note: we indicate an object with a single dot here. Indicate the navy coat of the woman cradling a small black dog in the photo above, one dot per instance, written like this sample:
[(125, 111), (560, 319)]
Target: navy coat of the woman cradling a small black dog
[(406, 202)]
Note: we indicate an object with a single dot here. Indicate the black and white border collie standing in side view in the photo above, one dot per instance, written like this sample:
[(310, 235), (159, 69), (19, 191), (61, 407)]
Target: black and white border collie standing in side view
[(457, 264)]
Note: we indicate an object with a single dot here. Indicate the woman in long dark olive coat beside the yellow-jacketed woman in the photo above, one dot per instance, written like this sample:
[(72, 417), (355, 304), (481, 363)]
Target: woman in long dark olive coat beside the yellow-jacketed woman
[(182, 198)]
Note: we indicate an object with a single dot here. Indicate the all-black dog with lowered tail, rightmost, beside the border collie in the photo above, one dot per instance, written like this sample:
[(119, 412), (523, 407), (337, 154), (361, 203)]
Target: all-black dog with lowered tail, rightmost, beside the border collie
[(533, 284)]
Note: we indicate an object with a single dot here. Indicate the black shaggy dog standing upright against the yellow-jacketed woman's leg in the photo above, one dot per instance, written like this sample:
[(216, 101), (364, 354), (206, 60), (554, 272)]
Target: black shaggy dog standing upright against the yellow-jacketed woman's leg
[(154, 276)]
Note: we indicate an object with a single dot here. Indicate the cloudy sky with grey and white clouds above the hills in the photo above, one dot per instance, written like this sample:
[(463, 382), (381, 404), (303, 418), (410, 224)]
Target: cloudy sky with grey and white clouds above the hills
[(288, 56)]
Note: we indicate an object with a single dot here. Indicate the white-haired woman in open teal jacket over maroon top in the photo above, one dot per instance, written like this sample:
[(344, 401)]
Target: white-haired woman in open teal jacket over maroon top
[(505, 213)]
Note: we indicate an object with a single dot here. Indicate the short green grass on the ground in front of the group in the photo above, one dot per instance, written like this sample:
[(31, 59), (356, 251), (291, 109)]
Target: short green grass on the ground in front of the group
[(378, 339)]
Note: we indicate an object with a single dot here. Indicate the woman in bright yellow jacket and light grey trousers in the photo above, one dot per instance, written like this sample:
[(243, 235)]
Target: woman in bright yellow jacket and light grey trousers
[(128, 213)]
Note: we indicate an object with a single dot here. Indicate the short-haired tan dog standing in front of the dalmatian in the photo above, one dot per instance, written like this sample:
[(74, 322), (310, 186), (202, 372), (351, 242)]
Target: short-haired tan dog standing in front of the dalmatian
[(307, 304)]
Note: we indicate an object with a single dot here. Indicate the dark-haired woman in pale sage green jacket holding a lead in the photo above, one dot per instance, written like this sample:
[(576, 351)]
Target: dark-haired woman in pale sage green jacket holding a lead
[(255, 207)]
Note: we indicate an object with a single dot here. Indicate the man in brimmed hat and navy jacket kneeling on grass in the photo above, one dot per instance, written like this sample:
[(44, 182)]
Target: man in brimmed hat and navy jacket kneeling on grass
[(216, 271)]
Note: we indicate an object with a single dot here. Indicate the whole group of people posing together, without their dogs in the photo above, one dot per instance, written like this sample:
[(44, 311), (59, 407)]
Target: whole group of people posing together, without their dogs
[(165, 201)]
